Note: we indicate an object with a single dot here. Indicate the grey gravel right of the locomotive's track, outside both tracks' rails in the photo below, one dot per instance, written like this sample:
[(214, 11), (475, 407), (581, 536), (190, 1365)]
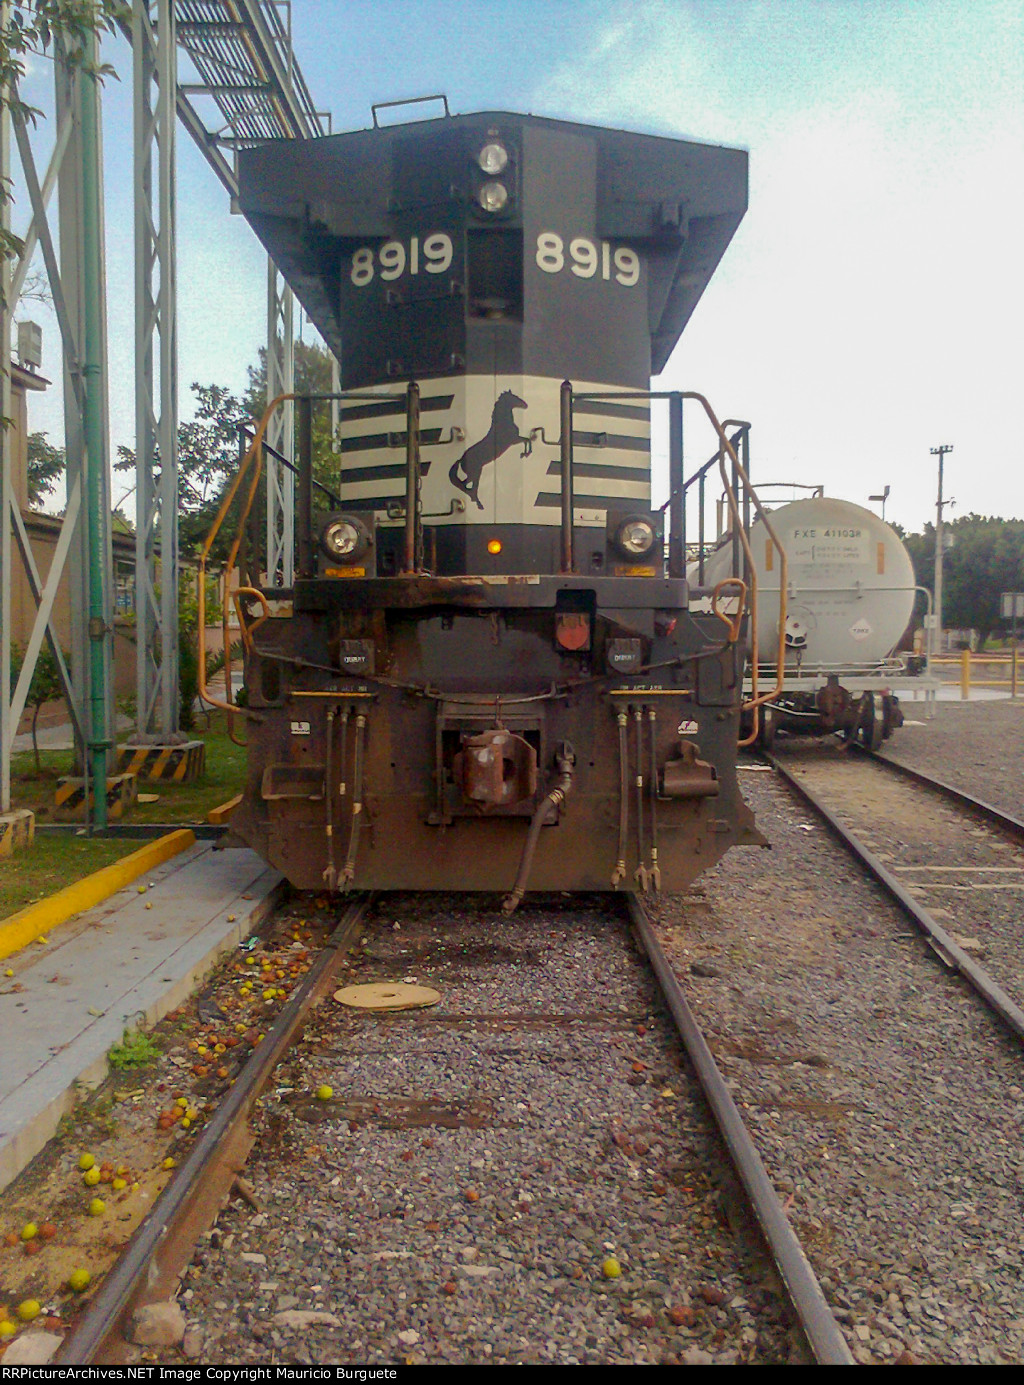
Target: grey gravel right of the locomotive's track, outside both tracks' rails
[(885, 1099)]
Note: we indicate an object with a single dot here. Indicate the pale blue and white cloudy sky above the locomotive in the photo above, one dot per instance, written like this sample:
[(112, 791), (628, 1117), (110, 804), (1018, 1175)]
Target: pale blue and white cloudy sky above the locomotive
[(872, 303)]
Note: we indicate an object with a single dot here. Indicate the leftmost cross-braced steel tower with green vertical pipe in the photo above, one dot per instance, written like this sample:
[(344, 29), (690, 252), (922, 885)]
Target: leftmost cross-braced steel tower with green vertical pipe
[(85, 548)]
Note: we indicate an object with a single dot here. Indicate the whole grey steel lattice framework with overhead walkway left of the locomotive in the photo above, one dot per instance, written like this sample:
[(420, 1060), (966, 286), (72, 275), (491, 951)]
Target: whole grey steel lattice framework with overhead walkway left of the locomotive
[(245, 88)]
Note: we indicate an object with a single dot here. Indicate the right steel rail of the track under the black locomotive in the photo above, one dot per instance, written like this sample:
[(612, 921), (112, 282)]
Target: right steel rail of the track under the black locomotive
[(818, 1323)]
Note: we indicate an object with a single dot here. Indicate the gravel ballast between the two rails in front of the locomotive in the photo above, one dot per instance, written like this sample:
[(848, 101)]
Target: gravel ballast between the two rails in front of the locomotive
[(523, 1174)]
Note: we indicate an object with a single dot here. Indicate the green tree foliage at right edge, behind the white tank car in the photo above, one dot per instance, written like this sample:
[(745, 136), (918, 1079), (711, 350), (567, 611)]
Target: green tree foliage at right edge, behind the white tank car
[(985, 557)]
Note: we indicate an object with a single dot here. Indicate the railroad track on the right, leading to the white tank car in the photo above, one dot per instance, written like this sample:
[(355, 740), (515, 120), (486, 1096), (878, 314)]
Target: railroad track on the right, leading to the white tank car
[(954, 864)]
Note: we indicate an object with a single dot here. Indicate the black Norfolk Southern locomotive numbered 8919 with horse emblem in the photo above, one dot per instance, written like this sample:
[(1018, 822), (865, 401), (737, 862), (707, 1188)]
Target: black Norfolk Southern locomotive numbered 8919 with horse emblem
[(491, 671)]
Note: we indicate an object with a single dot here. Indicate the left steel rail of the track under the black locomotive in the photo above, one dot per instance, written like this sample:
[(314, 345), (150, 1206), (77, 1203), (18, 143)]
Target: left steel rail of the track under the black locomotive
[(134, 1272)]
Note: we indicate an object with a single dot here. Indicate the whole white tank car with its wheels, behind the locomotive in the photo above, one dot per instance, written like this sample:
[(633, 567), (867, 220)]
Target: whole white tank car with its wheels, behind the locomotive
[(851, 596)]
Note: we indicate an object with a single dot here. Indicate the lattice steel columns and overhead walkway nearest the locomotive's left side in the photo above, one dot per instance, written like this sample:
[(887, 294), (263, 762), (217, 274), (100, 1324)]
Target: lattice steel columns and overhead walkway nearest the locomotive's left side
[(245, 88)]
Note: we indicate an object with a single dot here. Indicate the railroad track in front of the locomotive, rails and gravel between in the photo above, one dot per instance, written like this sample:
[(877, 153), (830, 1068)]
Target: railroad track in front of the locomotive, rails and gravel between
[(595, 1210)]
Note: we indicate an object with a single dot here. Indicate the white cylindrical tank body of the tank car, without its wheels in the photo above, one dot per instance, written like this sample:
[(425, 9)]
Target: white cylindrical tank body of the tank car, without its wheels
[(851, 585)]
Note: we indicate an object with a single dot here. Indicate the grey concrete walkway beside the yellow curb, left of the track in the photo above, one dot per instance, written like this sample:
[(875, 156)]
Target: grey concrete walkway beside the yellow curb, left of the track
[(117, 966)]
